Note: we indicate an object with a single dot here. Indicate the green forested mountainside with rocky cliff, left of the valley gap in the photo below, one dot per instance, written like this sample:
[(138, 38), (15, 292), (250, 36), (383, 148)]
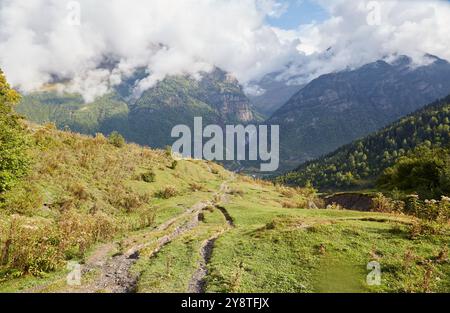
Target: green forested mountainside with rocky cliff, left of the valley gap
[(148, 120)]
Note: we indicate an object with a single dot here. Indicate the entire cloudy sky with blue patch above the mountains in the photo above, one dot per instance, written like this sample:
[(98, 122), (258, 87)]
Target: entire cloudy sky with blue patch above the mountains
[(94, 44)]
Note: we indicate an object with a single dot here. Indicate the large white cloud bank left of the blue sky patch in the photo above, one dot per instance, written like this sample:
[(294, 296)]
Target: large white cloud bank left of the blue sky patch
[(167, 36)]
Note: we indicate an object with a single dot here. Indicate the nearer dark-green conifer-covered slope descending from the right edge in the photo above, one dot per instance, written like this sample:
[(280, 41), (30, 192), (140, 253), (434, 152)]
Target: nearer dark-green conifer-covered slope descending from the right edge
[(365, 159)]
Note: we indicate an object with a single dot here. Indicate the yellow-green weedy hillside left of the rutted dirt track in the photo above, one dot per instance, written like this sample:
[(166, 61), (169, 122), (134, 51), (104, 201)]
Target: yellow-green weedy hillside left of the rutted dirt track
[(75, 195)]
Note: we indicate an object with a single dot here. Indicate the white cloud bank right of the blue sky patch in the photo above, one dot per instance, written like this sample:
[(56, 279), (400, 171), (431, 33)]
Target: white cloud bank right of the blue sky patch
[(362, 31)]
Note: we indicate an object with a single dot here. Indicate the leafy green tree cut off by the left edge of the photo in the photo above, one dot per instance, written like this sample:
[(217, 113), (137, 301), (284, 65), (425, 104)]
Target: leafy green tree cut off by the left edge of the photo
[(13, 144)]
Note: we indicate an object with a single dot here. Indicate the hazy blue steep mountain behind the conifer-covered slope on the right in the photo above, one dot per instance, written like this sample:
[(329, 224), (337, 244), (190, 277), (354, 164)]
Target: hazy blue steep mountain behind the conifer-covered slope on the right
[(338, 108)]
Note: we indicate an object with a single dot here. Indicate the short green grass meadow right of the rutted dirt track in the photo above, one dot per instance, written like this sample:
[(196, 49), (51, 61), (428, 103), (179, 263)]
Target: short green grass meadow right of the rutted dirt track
[(279, 250)]
